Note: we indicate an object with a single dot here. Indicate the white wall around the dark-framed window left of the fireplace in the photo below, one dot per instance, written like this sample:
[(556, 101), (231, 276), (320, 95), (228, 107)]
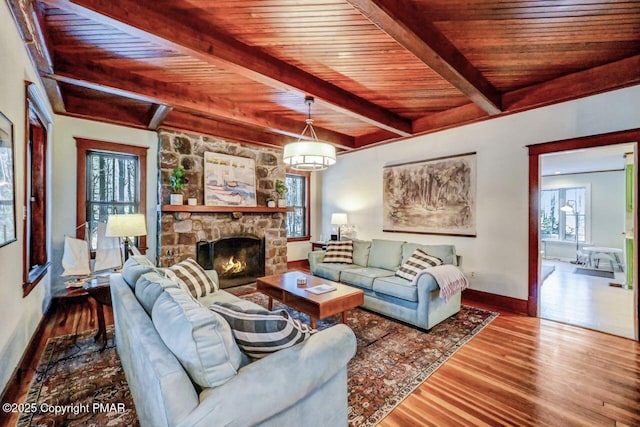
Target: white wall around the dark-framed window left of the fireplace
[(64, 175)]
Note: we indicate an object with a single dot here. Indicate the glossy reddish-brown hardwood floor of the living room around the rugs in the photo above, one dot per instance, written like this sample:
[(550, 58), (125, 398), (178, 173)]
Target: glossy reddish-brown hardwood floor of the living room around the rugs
[(518, 371)]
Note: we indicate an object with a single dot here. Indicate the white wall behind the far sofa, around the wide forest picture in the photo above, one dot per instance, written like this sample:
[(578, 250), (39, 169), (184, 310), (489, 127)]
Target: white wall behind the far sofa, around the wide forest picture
[(498, 256)]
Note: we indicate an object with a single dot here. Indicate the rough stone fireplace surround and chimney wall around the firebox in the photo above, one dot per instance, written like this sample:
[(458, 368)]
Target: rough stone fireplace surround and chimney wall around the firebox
[(180, 231)]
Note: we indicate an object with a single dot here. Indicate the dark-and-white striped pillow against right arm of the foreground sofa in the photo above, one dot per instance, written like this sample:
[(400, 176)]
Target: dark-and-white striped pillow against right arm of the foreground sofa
[(260, 332)]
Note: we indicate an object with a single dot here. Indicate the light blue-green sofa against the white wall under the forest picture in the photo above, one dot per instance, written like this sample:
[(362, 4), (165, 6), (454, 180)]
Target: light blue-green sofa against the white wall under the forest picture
[(373, 270)]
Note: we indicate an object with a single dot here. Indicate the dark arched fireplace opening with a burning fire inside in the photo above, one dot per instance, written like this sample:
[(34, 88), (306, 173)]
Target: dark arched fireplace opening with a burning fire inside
[(238, 260)]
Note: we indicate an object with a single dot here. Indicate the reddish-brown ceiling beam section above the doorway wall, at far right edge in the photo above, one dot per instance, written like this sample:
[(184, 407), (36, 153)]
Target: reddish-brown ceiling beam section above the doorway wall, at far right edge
[(615, 75)]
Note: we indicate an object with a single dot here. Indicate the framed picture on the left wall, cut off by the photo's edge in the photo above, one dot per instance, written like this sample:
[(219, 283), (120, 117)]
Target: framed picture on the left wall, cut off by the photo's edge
[(7, 183)]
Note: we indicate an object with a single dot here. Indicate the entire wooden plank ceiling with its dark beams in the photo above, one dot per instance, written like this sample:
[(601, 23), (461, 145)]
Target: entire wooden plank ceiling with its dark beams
[(380, 70)]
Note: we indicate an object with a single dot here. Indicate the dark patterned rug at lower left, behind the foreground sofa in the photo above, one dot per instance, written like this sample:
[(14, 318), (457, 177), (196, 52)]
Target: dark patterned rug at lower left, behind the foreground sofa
[(76, 384)]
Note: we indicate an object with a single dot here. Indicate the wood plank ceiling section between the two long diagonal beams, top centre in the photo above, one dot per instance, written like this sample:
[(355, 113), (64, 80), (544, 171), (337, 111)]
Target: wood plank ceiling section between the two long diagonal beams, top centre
[(336, 43)]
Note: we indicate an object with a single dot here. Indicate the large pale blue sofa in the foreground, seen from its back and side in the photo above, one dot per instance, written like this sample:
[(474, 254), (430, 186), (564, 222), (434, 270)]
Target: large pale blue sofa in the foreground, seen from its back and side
[(302, 385)]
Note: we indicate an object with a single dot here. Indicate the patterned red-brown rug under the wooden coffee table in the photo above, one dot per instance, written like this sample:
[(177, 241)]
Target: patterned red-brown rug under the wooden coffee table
[(393, 359)]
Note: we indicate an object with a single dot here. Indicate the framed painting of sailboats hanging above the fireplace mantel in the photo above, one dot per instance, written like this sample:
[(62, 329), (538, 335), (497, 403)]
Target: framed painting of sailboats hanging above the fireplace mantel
[(229, 180)]
